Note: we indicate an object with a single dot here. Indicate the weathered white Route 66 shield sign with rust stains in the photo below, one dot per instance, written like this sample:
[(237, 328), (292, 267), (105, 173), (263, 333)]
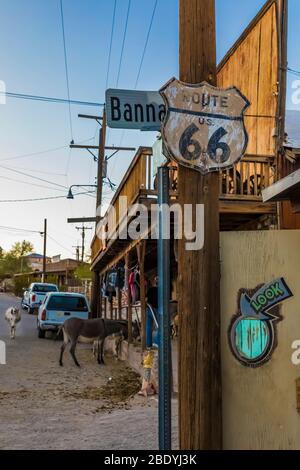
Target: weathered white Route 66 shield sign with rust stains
[(204, 126)]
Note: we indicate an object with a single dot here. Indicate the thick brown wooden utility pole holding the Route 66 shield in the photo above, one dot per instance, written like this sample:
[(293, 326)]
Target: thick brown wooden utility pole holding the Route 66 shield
[(200, 394)]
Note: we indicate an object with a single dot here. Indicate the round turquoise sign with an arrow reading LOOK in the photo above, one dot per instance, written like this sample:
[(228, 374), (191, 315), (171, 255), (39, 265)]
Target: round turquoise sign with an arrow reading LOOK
[(252, 333)]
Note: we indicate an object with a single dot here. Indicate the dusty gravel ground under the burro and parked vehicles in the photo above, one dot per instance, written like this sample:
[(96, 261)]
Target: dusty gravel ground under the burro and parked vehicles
[(44, 406)]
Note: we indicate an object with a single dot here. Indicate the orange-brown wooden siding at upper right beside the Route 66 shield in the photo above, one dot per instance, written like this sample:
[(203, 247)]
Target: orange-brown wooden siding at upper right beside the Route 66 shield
[(252, 66)]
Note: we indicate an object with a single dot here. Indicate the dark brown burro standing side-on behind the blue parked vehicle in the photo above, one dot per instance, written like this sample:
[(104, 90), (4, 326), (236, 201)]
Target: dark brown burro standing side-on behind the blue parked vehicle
[(76, 329)]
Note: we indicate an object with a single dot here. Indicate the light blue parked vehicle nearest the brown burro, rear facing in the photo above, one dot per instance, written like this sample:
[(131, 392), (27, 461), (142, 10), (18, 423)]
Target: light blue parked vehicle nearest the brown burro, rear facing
[(58, 307)]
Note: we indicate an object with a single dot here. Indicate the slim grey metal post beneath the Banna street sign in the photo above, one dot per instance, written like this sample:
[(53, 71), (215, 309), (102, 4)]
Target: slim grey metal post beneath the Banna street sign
[(164, 352)]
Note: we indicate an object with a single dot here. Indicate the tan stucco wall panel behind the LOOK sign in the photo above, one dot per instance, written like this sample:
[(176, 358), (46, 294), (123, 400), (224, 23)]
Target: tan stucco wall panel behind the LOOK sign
[(259, 405)]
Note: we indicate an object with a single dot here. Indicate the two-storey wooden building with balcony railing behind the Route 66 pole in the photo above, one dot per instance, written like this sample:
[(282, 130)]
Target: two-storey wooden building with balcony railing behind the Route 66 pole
[(256, 65)]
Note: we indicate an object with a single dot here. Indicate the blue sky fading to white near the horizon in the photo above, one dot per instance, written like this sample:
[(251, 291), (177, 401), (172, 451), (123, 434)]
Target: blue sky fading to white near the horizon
[(32, 62)]
